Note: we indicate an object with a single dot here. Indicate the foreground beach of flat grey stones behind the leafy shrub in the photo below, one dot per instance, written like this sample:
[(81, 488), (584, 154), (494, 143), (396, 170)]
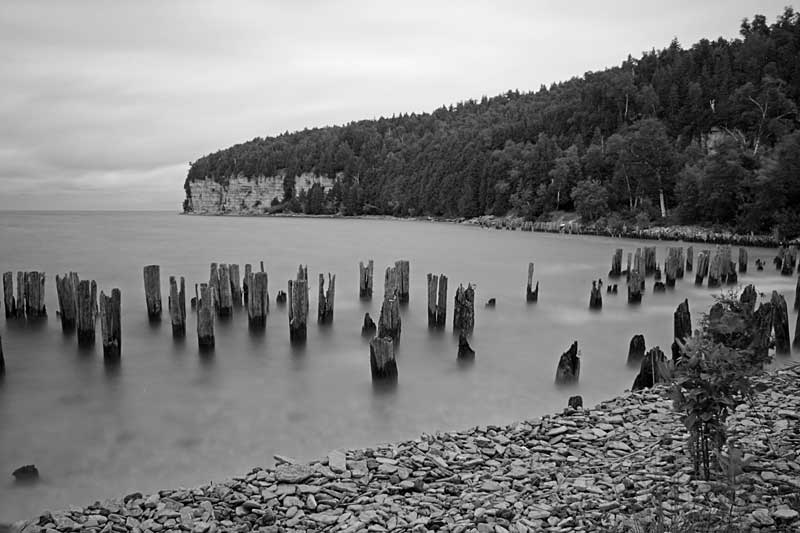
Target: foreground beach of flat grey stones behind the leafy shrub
[(620, 466)]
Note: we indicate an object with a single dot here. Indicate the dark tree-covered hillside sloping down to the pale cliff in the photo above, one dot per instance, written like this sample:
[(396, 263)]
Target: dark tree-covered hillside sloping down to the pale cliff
[(707, 134)]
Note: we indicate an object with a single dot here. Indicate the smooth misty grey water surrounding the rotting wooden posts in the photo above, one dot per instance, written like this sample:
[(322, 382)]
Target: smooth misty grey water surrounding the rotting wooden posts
[(168, 417)]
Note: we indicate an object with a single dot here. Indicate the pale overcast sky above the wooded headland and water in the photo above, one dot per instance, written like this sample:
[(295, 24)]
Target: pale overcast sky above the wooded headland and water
[(103, 105)]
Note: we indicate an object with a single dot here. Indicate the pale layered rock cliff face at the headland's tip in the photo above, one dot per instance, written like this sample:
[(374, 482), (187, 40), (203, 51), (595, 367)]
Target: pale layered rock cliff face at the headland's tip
[(244, 195)]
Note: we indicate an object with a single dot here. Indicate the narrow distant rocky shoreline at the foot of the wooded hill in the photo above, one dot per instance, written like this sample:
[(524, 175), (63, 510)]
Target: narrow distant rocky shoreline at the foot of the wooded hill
[(690, 234)]
